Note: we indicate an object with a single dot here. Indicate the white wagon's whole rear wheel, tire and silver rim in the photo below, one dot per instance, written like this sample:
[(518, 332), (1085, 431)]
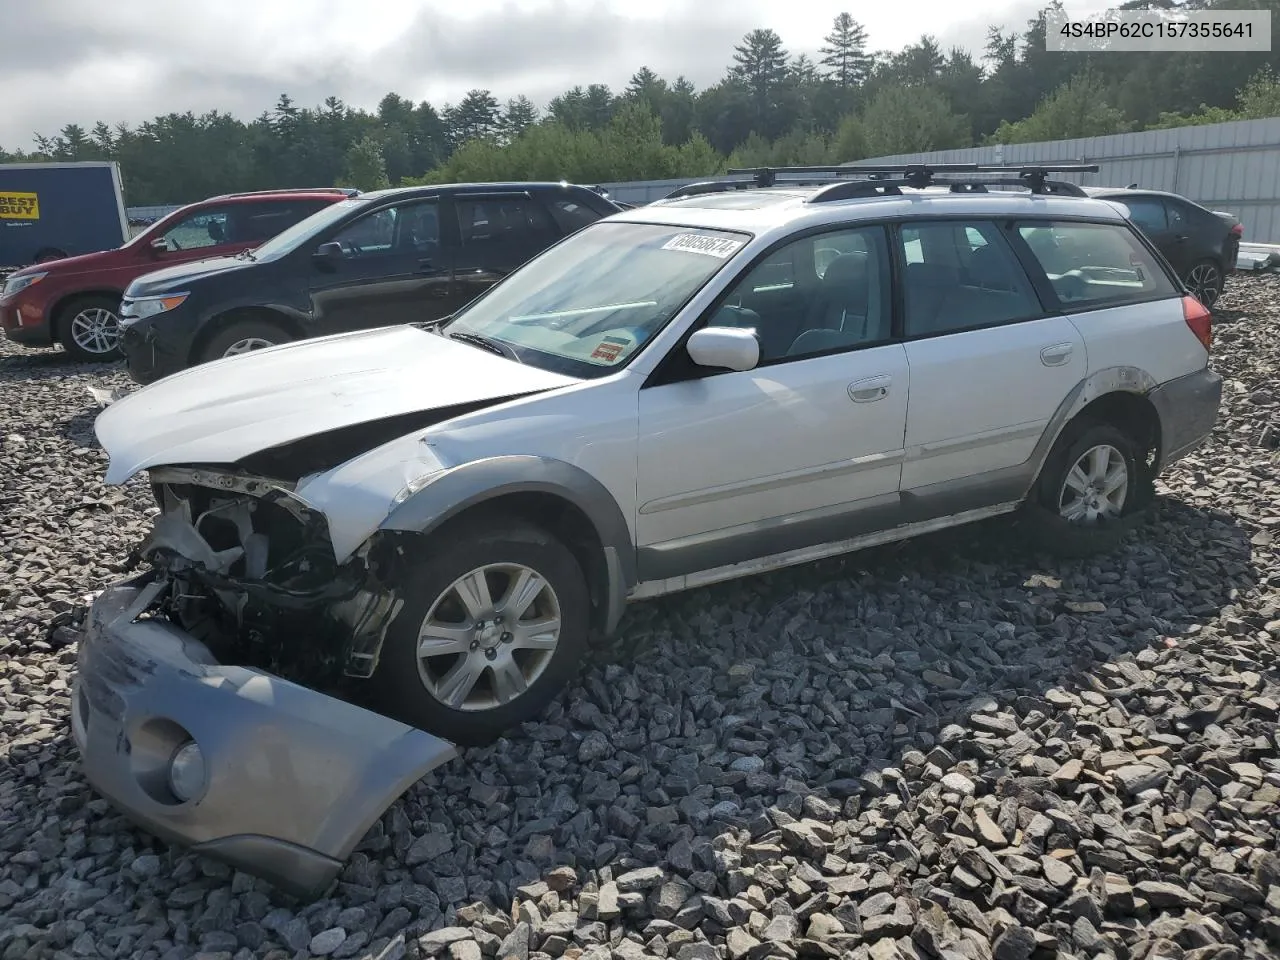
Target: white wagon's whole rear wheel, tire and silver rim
[(1066, 524)]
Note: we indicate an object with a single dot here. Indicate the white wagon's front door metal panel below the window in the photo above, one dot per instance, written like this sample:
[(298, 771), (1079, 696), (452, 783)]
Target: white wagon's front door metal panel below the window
[(743, 447)]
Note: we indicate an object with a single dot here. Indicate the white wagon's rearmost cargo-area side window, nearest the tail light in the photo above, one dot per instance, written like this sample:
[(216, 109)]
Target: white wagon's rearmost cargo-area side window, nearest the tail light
[(1092, 264)]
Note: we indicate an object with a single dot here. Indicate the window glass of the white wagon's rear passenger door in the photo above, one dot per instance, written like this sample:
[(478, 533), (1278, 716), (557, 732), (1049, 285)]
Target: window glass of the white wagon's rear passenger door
[(959, 277)]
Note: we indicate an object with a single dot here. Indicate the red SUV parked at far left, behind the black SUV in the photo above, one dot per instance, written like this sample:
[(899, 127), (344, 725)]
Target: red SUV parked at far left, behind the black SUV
[(77, 301)]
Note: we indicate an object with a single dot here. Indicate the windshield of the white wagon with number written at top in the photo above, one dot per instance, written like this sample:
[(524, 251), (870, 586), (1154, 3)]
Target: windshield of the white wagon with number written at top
[(589, 304)]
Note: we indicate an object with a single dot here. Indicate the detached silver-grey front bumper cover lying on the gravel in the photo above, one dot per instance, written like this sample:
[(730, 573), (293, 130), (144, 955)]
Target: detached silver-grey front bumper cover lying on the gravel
[(289, 780)]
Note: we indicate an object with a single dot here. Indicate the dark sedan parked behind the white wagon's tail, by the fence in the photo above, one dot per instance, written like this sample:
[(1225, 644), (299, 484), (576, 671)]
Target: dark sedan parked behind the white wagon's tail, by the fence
[(1201, 245)]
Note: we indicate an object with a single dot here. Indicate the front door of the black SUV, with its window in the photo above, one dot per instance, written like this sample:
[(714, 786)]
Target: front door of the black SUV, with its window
[(395, 269)]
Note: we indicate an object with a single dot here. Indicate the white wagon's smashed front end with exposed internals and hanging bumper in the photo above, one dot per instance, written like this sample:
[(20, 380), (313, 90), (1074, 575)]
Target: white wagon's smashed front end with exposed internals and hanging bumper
[(205, 705)]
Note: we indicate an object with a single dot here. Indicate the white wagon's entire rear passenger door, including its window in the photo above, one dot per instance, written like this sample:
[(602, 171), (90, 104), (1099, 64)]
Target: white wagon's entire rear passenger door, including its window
[(990, 365)]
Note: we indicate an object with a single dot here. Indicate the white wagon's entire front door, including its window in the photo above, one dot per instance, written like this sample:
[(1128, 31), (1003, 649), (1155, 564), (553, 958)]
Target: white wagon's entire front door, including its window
[(803, 450)]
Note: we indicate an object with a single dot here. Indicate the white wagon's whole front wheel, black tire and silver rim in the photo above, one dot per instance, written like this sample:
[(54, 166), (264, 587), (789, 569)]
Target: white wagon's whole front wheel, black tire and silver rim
[(419, 692)]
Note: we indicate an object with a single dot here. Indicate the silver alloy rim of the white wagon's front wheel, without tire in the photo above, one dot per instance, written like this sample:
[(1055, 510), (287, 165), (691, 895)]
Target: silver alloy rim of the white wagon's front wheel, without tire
[(488, 638)]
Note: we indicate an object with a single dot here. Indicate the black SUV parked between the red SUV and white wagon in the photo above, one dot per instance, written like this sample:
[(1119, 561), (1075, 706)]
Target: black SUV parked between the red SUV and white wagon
[(392, 257)]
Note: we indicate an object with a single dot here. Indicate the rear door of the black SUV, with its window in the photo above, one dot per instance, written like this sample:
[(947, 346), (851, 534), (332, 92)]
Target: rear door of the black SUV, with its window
[(497, 234)]
